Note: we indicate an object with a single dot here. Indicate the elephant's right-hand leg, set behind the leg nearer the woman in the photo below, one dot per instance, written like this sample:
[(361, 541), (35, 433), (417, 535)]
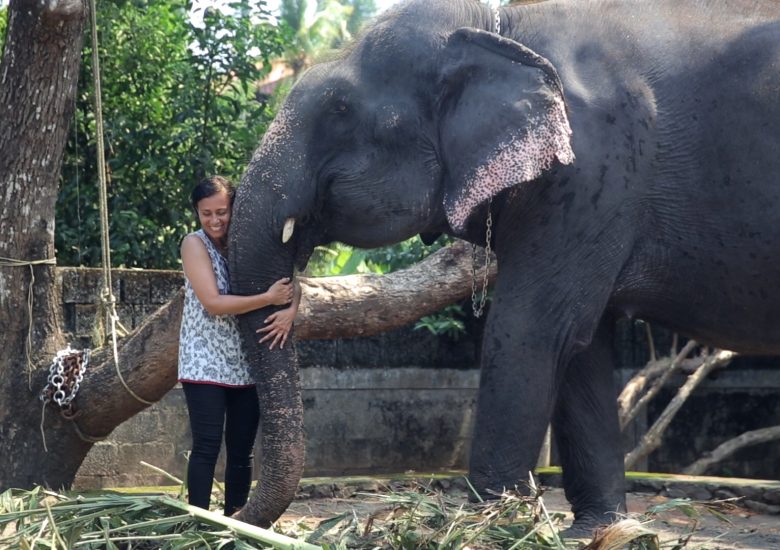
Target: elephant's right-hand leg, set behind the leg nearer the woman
[(585, 424)]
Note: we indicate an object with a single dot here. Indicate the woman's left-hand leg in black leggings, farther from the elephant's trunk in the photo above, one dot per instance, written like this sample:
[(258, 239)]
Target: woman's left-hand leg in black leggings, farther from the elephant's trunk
[(206, 405)]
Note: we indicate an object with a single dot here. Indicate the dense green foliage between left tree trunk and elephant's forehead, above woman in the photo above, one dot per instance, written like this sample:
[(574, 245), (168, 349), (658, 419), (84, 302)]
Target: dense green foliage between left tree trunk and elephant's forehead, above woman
[(178, 103)]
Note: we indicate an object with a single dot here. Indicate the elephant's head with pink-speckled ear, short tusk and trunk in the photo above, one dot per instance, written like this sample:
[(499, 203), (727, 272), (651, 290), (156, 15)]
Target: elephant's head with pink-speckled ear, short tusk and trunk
[(411, 130)]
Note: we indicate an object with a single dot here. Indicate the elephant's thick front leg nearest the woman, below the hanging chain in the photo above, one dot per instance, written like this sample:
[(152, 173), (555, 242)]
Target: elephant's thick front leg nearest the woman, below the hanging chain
[(516, 396)]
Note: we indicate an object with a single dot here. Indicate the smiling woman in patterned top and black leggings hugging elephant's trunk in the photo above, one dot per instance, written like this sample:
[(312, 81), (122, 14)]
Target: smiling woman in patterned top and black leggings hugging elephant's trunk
[(219, 390)]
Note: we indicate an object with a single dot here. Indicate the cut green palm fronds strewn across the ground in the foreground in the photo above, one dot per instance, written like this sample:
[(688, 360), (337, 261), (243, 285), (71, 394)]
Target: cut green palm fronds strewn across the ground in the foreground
[(413, 517)]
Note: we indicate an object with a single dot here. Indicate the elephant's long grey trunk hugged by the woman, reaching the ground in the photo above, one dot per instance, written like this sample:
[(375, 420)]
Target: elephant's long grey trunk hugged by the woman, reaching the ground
[(258, 258)]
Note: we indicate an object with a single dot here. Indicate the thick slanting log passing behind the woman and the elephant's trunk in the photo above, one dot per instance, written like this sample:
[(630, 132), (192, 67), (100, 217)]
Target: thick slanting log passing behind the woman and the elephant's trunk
[(331, 307)]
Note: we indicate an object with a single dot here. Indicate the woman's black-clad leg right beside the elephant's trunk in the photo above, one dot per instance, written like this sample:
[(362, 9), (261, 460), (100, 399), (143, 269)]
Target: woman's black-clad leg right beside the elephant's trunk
[(242, 418)]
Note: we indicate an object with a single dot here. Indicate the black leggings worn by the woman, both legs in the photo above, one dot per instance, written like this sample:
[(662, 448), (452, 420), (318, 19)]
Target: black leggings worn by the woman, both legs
[(211, 407)]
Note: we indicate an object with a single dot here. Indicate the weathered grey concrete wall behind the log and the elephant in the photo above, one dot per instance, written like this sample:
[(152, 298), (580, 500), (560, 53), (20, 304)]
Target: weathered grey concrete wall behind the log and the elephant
[(401, 401)]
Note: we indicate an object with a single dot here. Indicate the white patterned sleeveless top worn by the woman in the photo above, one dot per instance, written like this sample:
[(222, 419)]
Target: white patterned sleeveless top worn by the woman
[(210, 345)]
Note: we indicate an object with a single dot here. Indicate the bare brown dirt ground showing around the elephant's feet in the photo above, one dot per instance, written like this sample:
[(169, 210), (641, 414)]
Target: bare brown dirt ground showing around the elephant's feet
[(744, 529)]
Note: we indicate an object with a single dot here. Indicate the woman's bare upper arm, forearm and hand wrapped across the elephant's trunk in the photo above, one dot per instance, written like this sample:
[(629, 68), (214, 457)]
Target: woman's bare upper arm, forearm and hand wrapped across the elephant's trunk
[(199, 271)]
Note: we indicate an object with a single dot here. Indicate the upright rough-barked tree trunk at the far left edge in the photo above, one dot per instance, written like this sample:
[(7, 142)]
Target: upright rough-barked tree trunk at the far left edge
[(38, 76)]
